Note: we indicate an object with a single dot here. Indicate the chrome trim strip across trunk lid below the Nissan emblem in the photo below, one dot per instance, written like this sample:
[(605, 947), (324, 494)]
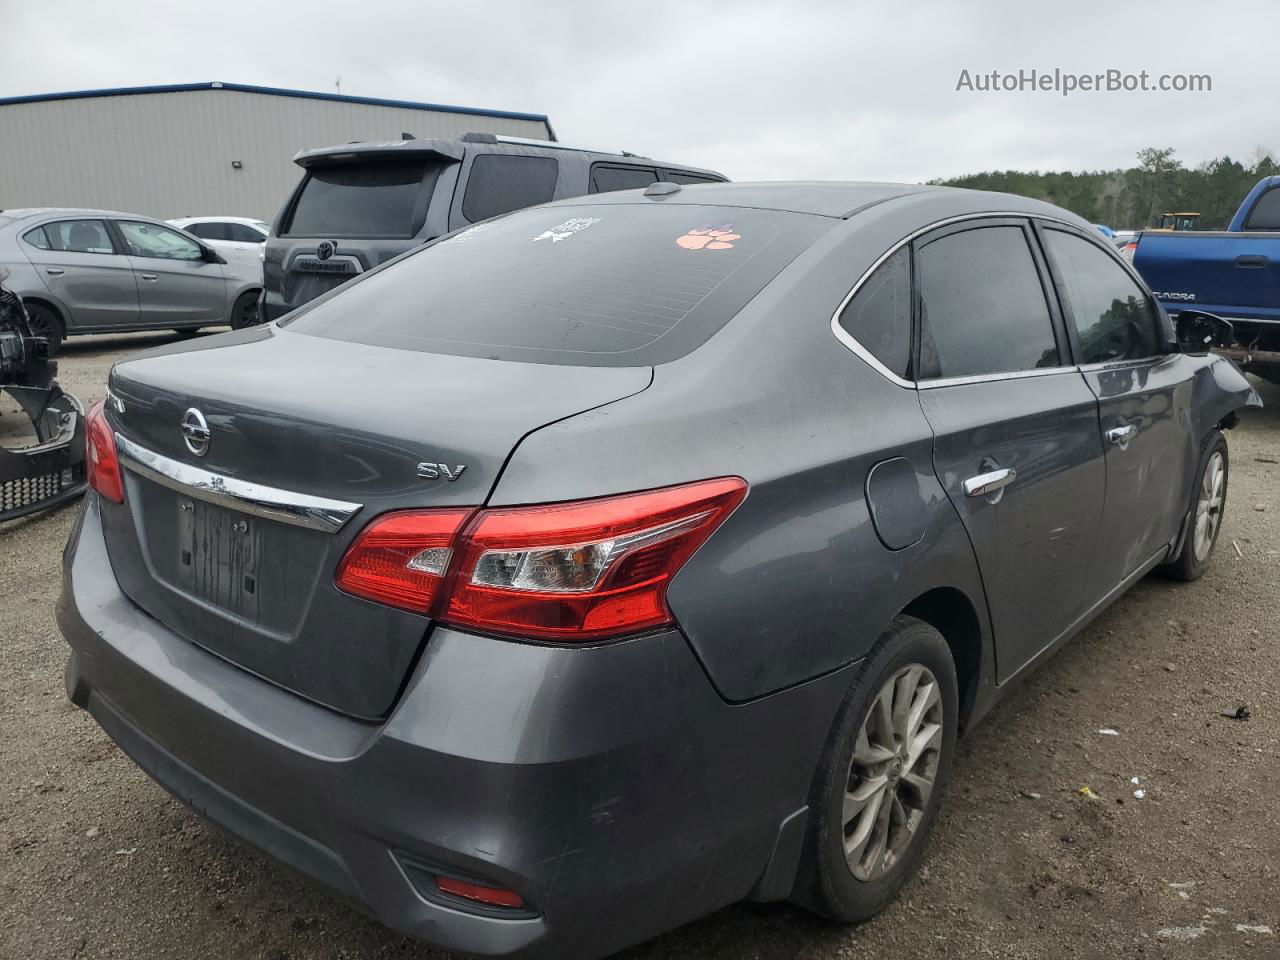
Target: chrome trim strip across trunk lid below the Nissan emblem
[(258, 500)]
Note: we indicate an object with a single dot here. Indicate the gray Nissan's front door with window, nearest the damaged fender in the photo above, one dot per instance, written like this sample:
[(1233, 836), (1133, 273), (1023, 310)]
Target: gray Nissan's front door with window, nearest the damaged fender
[(1144, 395)]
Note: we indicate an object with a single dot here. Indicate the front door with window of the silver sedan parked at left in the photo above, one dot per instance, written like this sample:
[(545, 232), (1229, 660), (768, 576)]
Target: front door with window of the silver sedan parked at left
[(176, 285)]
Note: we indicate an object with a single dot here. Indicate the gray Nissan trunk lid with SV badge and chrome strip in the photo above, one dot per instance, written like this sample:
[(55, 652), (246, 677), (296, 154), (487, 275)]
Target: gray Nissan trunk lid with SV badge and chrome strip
[(308, 441)]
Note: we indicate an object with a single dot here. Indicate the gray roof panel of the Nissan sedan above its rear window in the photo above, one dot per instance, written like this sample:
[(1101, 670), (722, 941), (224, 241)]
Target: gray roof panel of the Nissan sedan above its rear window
[(836, 199)]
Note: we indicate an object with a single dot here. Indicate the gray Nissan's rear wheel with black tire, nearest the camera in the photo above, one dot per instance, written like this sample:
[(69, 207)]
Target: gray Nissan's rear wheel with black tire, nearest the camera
[(854, 889)]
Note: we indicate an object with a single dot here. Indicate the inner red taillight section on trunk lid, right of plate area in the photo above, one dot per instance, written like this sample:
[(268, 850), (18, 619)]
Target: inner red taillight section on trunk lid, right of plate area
[(401, 559)]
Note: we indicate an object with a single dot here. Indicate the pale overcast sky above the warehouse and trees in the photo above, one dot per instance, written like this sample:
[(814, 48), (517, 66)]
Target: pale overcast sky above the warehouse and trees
[(758, 92)]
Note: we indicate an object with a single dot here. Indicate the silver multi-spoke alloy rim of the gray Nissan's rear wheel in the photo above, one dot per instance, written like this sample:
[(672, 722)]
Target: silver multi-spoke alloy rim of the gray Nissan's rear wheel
[(893, 772)]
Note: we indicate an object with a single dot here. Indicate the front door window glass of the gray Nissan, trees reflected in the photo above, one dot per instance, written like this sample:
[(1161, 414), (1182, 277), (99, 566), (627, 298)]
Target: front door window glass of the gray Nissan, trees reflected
[(1112, 314)]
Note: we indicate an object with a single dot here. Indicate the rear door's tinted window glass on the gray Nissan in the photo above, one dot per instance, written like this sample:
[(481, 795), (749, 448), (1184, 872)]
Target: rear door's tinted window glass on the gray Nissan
[(982, 305)]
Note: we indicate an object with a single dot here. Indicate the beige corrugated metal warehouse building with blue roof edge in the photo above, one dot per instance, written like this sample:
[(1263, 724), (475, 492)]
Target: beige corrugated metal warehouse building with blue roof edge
[(198, 149)]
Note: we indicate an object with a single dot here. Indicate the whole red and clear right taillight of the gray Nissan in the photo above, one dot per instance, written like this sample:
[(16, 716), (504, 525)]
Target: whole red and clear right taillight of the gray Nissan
[(563, 572)]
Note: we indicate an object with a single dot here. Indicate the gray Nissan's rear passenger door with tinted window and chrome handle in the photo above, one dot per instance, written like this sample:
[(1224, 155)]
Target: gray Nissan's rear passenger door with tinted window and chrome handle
[(1017, 442)]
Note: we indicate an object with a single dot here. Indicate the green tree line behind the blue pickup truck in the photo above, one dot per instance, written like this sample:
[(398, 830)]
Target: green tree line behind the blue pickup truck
[(1136, 198)]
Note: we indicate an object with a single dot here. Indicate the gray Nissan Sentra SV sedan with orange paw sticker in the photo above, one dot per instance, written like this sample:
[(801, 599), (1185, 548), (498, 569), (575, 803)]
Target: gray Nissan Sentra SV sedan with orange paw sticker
[(621, 559)]
